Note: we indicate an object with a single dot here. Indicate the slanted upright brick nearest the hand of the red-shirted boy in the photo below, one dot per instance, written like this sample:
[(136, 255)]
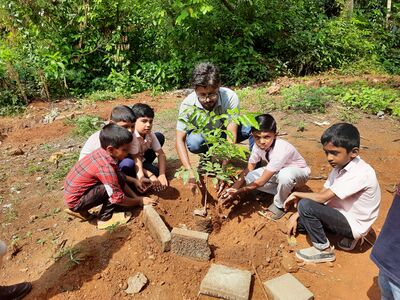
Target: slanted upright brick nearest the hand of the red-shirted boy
[(158, 230)]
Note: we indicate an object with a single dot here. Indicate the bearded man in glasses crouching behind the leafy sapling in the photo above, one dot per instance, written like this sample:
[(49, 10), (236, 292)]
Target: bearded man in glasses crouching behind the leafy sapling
[(207, 95)]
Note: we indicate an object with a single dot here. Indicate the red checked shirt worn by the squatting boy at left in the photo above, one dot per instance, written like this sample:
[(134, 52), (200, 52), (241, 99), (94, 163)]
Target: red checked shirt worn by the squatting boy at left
[(96, 168)]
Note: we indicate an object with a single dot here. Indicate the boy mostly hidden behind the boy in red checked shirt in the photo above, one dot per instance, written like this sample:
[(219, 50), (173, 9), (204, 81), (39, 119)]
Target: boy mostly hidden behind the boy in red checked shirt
[(123, 116)]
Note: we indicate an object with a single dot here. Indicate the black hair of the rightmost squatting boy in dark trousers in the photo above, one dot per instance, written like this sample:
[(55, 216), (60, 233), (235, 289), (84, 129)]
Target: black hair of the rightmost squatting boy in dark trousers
[(343, 135)]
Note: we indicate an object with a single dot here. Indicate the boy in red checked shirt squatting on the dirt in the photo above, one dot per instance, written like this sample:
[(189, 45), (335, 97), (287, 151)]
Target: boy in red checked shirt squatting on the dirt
[(96, 180)]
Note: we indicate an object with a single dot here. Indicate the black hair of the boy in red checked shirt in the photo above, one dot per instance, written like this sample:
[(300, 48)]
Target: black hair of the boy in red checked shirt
[(115, 136)]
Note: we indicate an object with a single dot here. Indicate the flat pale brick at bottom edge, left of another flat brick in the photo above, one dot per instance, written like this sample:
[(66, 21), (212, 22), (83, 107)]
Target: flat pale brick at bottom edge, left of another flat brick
[(226, 283)]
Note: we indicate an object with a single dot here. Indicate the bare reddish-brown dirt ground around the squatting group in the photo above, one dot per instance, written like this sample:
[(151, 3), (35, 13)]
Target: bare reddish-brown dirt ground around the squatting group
[(97, 264)]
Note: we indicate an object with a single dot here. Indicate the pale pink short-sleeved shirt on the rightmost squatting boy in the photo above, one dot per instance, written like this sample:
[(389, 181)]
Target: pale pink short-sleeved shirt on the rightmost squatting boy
[(358, 194)]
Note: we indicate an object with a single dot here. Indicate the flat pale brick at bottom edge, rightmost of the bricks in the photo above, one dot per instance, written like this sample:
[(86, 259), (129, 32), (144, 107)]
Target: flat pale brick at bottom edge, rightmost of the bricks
[(287, 287)]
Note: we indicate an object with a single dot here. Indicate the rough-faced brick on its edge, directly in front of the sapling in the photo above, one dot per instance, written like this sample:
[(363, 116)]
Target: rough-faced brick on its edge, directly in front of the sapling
[(190, 243)]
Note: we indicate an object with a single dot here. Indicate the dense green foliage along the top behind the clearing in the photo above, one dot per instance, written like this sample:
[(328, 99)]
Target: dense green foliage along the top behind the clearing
[(55, 48)]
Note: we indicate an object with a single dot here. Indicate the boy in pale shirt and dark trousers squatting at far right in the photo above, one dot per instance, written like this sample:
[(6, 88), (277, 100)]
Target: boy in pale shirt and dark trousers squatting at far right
[(348, 204)]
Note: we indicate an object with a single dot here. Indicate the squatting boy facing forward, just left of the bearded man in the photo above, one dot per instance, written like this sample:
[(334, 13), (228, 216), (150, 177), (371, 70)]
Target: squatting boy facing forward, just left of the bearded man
[(149, 146)]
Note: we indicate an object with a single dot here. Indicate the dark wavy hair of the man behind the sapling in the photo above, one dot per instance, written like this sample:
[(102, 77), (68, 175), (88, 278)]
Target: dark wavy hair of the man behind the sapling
[(206, 75)]
